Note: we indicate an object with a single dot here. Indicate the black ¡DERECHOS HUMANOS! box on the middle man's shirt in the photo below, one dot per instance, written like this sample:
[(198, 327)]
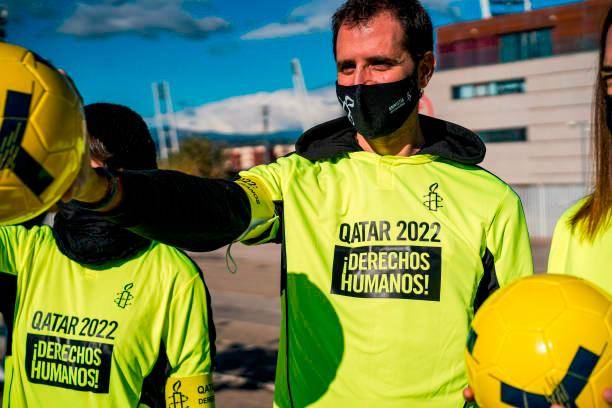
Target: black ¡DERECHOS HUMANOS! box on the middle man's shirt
[(400, 272)]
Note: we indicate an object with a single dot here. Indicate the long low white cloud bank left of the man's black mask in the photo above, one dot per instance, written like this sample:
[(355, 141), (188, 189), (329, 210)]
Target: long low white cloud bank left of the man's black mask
[(243, 114)]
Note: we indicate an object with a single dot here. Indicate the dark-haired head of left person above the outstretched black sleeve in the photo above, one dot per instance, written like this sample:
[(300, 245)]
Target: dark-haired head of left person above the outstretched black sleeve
[(119, 137)]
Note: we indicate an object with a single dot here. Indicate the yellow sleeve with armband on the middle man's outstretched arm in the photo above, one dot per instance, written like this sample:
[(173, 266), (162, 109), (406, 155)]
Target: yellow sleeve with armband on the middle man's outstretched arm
[(262, 184)]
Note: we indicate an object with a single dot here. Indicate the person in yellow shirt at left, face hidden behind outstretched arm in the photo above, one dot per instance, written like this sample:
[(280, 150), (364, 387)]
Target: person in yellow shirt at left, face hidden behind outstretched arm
[(104, 316)]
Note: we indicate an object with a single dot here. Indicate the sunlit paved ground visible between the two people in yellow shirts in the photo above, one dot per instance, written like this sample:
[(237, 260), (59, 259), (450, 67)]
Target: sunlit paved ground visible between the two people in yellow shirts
[(247, 315)]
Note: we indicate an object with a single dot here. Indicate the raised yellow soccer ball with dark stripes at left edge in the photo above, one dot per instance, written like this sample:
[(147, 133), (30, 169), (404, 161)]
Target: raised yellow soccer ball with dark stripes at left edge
[(42, 135)]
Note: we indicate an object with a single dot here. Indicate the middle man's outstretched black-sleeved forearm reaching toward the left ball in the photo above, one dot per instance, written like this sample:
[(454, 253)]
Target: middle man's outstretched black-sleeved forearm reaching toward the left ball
[(174, 208)]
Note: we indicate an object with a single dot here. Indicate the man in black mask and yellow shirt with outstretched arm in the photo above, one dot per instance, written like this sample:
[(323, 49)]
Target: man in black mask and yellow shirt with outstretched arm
[(391, 234)]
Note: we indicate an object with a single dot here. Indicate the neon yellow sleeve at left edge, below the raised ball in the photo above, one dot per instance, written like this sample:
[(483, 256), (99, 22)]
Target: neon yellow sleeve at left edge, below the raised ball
[(15, 245)]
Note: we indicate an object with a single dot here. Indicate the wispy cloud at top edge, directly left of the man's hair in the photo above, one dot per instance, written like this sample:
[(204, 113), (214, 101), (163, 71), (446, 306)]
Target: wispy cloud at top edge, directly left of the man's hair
[(308, 18)]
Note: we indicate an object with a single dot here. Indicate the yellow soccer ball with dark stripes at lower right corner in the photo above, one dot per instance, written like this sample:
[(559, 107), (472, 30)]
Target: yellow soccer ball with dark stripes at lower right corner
[(543, 339)]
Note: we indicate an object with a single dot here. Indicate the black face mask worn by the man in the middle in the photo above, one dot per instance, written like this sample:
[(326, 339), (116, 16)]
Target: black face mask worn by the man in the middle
[(379, 110)]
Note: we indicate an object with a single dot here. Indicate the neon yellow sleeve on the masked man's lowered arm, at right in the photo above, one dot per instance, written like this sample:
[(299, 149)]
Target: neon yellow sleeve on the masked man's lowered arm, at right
[(508, 244)]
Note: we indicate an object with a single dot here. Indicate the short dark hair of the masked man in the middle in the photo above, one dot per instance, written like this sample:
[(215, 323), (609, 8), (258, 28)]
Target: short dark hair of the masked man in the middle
[(418, 29)]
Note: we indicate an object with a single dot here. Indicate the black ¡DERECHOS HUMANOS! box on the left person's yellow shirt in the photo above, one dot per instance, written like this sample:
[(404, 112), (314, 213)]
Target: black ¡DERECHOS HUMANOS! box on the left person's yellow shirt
[(67, 363)]
